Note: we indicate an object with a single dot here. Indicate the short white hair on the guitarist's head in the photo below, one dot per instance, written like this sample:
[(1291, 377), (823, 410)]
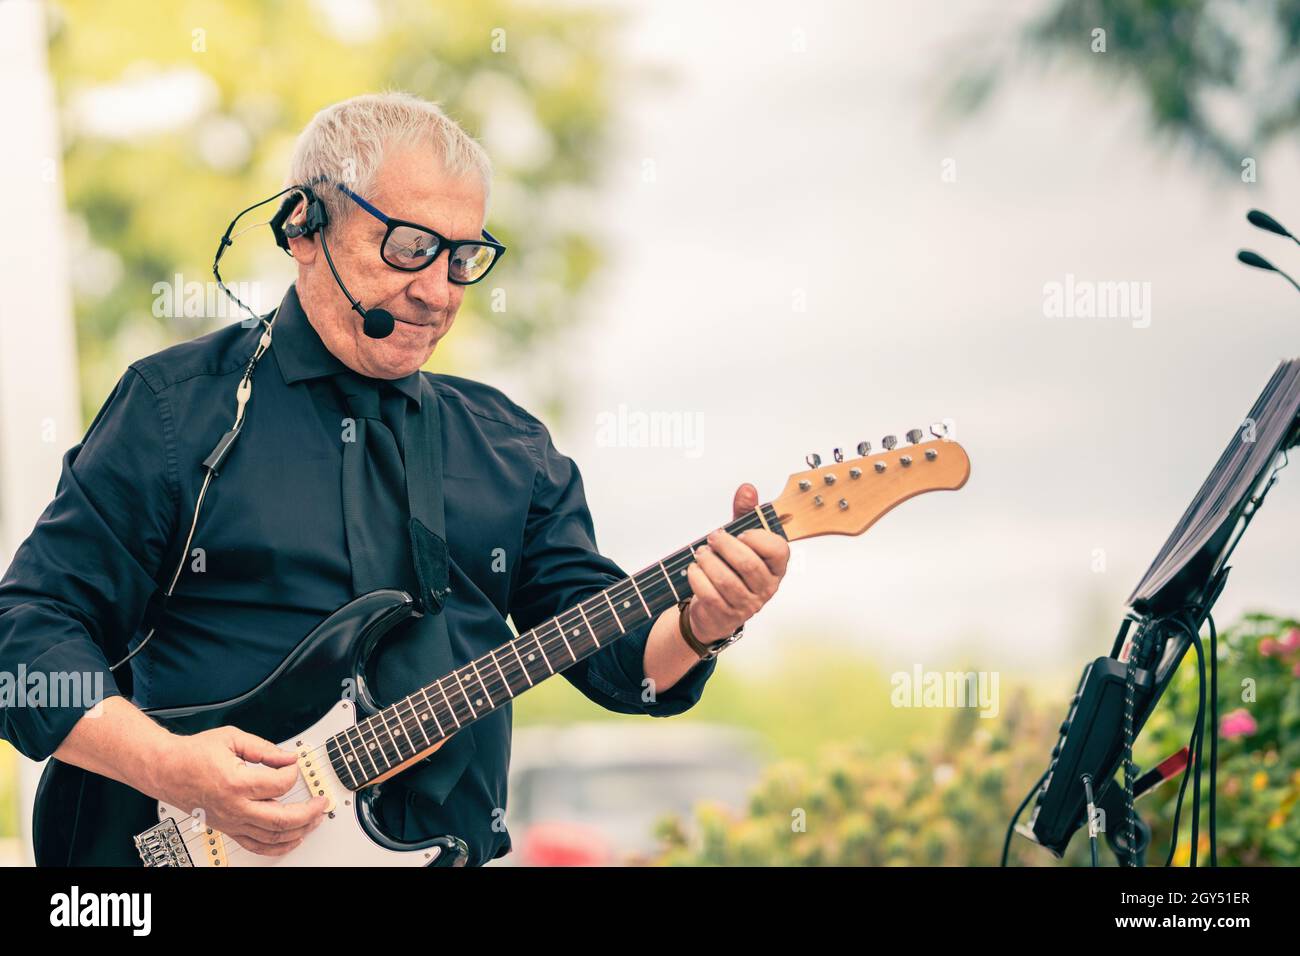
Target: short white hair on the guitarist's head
[(346, 142)]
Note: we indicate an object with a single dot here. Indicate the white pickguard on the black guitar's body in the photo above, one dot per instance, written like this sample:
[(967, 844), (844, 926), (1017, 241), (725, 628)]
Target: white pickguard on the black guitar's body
[(337, 842)]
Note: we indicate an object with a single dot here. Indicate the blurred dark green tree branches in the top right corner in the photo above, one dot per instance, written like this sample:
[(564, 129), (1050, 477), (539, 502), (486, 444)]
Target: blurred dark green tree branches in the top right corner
[(1220, 76)]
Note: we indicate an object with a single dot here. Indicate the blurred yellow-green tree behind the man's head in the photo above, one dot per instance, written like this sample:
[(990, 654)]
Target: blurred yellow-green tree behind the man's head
[(177, 116)]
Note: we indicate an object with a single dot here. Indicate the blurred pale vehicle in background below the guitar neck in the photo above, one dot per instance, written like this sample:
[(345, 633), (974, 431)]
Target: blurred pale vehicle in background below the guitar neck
[(590, 794)]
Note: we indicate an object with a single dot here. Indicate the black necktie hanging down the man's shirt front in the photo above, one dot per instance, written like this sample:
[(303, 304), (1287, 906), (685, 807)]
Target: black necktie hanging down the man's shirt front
[(380, 534)]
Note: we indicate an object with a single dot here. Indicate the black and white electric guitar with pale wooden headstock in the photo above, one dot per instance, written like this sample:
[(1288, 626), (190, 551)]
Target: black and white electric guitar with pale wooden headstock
[(345, 747)]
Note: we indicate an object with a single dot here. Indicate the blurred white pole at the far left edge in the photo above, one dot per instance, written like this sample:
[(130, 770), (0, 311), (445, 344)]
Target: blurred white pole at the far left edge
[(40, 405)]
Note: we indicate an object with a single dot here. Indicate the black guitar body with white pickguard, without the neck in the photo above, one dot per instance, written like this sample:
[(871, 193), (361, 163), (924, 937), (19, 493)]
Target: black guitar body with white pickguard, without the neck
[(86, 820)]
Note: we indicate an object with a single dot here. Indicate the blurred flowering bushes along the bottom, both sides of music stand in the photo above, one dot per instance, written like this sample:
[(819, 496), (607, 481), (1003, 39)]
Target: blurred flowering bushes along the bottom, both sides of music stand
[(948, 802)]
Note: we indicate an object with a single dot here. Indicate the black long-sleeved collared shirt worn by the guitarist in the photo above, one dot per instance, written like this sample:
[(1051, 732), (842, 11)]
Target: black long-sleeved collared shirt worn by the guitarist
[(275, 557)]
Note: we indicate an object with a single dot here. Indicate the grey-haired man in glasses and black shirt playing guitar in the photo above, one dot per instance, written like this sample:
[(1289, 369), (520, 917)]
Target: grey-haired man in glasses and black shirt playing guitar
[(302, 520)]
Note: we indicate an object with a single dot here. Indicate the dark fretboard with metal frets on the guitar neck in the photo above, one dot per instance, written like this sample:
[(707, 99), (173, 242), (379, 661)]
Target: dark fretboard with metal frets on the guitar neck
[(414, 725)]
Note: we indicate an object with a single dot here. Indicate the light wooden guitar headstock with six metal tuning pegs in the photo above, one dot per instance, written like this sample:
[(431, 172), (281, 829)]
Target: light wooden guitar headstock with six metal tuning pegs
[(850, 496)]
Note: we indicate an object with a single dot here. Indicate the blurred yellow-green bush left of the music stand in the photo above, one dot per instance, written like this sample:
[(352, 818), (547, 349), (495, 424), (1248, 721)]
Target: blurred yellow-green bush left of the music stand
[(942, 803)]
